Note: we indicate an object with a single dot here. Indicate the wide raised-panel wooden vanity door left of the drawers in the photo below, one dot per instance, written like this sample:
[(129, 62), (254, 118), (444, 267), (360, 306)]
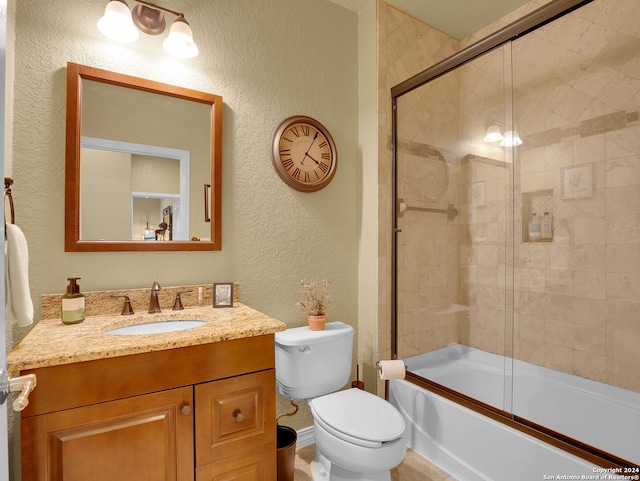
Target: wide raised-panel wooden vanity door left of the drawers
[(144, 438)]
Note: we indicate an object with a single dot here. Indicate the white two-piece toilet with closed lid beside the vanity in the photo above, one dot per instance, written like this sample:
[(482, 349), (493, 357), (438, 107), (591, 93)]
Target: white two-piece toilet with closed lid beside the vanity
[(359, 436)]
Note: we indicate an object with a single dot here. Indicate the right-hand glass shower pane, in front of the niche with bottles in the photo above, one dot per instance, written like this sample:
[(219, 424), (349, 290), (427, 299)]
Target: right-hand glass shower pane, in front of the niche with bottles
[(577, 297)]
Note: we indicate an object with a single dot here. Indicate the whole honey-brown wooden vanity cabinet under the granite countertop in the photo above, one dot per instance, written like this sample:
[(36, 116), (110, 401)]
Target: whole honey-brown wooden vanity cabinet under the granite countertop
[(200, 413)]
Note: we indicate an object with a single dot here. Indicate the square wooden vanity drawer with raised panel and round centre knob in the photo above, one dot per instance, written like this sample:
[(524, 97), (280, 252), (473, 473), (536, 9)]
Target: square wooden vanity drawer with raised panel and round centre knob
[(234, 415)]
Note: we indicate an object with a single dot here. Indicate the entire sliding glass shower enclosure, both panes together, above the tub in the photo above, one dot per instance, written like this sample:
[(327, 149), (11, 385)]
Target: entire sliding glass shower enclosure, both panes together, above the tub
[(518, 229)]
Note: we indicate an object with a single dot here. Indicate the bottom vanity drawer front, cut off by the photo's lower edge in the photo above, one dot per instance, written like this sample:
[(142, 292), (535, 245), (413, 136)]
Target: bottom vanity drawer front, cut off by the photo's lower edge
[(258, 464)]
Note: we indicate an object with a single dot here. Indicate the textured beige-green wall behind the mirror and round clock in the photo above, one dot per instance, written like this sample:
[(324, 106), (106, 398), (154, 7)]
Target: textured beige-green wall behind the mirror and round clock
[(268, 62)]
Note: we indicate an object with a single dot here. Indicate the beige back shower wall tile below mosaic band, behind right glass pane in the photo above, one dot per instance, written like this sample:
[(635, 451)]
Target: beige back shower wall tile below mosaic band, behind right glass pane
[(578, 298)]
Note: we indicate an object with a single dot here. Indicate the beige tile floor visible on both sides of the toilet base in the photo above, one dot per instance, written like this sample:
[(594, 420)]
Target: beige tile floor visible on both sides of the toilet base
[(414, 467)]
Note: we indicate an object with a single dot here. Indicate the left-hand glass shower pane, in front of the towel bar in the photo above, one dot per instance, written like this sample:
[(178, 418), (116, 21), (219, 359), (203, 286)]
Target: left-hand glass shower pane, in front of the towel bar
[(454, 216)]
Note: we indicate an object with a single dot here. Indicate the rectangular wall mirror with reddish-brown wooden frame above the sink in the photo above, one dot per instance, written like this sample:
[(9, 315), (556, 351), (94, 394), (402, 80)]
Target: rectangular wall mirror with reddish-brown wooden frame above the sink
[(138, 155)]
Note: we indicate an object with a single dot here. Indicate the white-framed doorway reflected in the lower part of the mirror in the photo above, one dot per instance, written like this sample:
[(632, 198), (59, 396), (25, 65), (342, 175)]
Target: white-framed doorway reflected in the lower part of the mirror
[(143, 183)]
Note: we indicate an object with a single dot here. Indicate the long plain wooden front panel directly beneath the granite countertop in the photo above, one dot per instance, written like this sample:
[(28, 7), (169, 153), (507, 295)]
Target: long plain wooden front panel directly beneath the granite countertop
[(93, 382)]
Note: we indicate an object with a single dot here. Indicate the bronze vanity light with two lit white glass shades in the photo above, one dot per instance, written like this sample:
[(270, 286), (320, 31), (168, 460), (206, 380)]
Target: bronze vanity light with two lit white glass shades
[(120, 24)]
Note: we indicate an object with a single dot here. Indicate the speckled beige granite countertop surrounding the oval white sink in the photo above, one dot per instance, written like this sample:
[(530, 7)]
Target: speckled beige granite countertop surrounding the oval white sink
[(52, 343)]
